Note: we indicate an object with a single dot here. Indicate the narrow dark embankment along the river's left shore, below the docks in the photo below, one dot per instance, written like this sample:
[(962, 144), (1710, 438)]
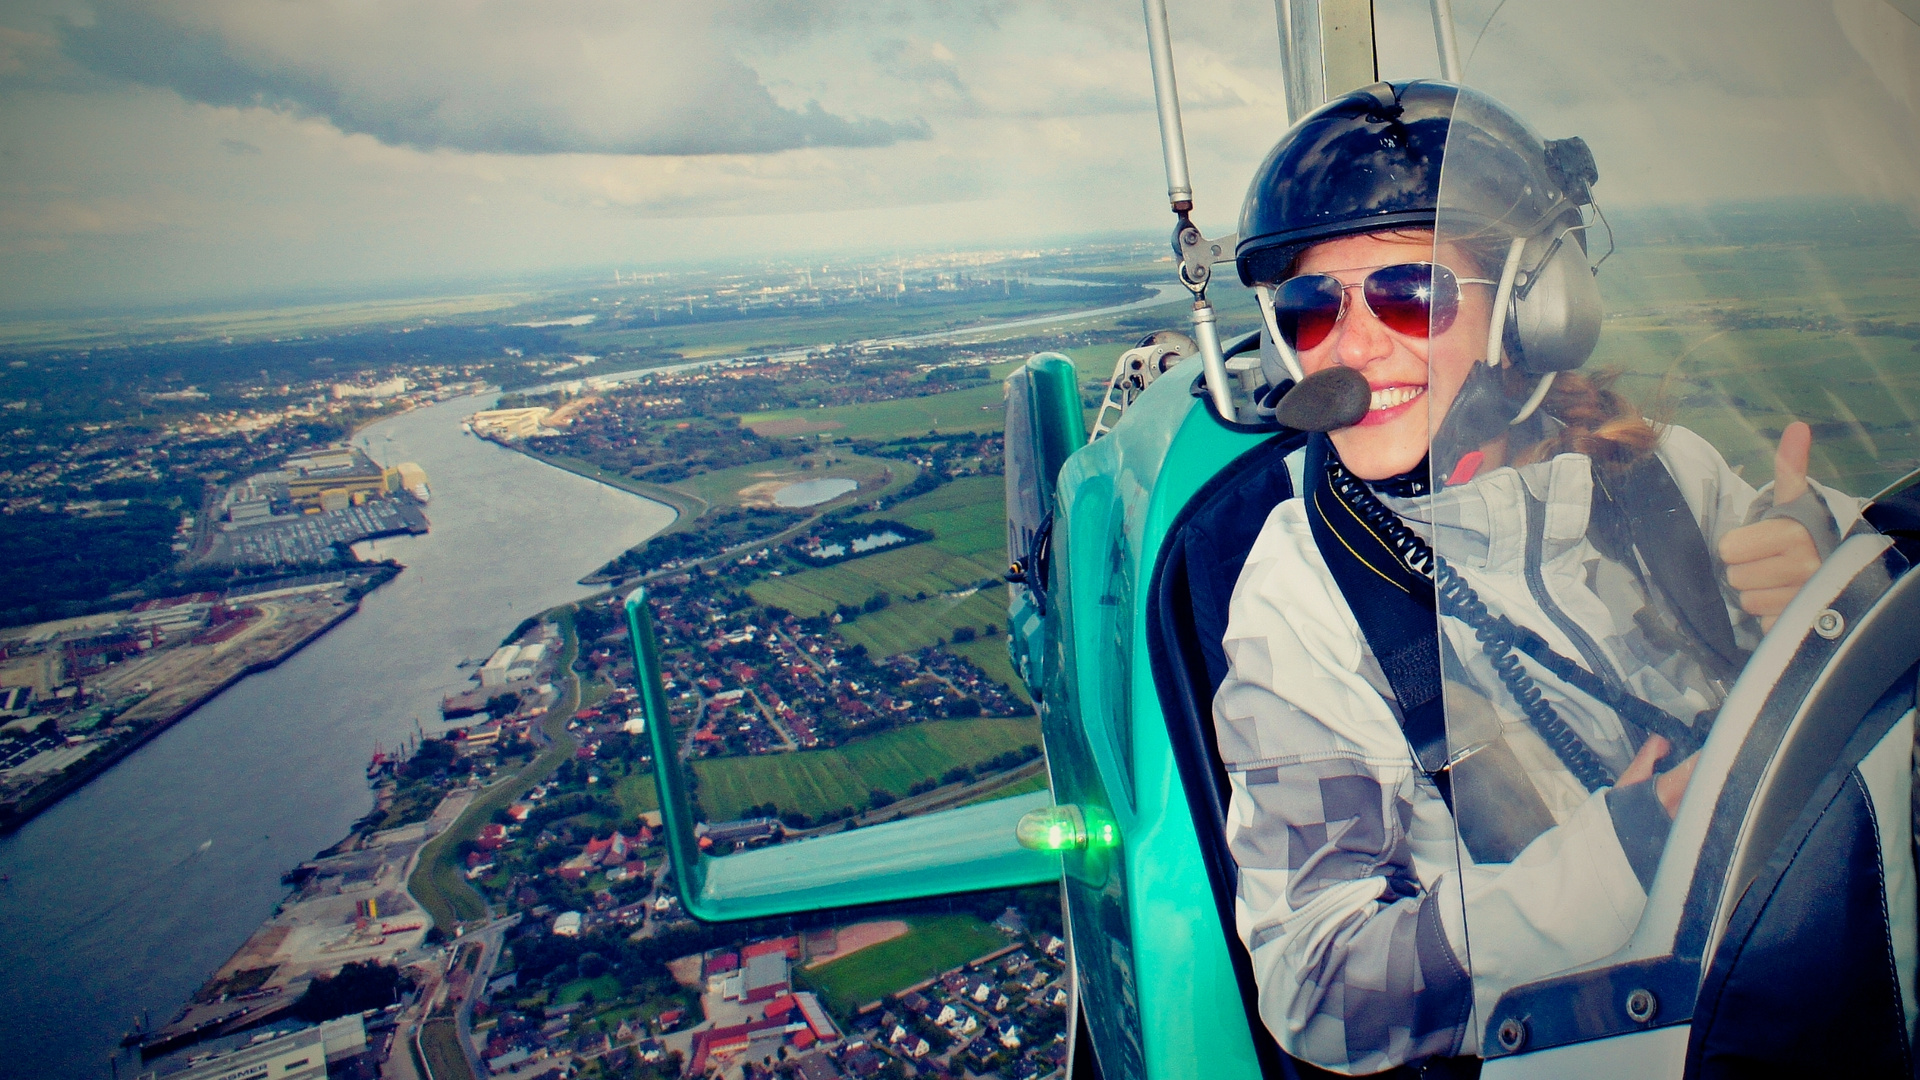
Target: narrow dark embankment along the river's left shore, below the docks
[(226, 666)]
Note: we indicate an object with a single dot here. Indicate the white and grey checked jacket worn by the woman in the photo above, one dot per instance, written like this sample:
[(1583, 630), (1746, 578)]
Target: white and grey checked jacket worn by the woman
[(1355, 881)]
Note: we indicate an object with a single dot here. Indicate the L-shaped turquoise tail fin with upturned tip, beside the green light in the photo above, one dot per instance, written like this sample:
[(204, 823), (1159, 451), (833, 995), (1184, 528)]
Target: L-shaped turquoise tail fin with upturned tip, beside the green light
[(940, 854)]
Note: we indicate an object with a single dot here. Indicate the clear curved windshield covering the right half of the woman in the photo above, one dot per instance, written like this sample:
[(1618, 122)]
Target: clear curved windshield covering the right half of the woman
[(1662, 453)]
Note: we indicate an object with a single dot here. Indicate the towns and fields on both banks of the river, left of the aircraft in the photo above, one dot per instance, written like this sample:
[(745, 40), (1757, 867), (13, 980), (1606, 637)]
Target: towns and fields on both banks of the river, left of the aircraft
[(830, 606)]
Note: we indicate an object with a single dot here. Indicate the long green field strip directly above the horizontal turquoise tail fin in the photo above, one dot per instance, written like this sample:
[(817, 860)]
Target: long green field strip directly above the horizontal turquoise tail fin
[(821, 781)]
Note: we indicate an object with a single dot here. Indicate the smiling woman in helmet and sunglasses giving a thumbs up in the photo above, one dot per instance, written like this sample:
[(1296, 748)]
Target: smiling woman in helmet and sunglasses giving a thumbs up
[(1583, 650)]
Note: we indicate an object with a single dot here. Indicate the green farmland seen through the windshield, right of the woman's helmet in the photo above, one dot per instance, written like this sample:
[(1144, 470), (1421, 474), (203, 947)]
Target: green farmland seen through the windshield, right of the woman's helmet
[(1739, 341)]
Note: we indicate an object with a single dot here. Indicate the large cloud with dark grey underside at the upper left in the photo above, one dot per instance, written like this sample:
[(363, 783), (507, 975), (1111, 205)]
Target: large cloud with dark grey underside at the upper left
[(475, 84)]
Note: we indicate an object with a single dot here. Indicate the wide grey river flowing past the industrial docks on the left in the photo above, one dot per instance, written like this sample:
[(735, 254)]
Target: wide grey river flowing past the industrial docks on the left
[(130, 893)]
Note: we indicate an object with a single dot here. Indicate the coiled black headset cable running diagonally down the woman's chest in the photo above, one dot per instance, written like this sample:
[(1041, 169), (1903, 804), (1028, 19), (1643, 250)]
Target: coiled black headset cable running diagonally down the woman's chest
[(1500, 637)]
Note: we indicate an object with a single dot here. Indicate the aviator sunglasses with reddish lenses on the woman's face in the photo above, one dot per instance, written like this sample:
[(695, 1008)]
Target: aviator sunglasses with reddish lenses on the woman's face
[(1408, 299)]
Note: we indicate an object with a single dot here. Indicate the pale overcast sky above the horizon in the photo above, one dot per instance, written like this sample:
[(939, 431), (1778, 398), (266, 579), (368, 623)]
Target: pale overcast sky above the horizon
[(216, 149)]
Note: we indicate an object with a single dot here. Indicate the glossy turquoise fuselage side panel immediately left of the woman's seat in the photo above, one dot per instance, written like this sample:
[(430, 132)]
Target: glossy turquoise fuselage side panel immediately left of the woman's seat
[(1155, 971)]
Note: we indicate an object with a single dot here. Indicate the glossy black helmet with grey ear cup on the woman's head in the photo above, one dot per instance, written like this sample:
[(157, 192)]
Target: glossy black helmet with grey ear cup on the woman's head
[(1372, 160)]
